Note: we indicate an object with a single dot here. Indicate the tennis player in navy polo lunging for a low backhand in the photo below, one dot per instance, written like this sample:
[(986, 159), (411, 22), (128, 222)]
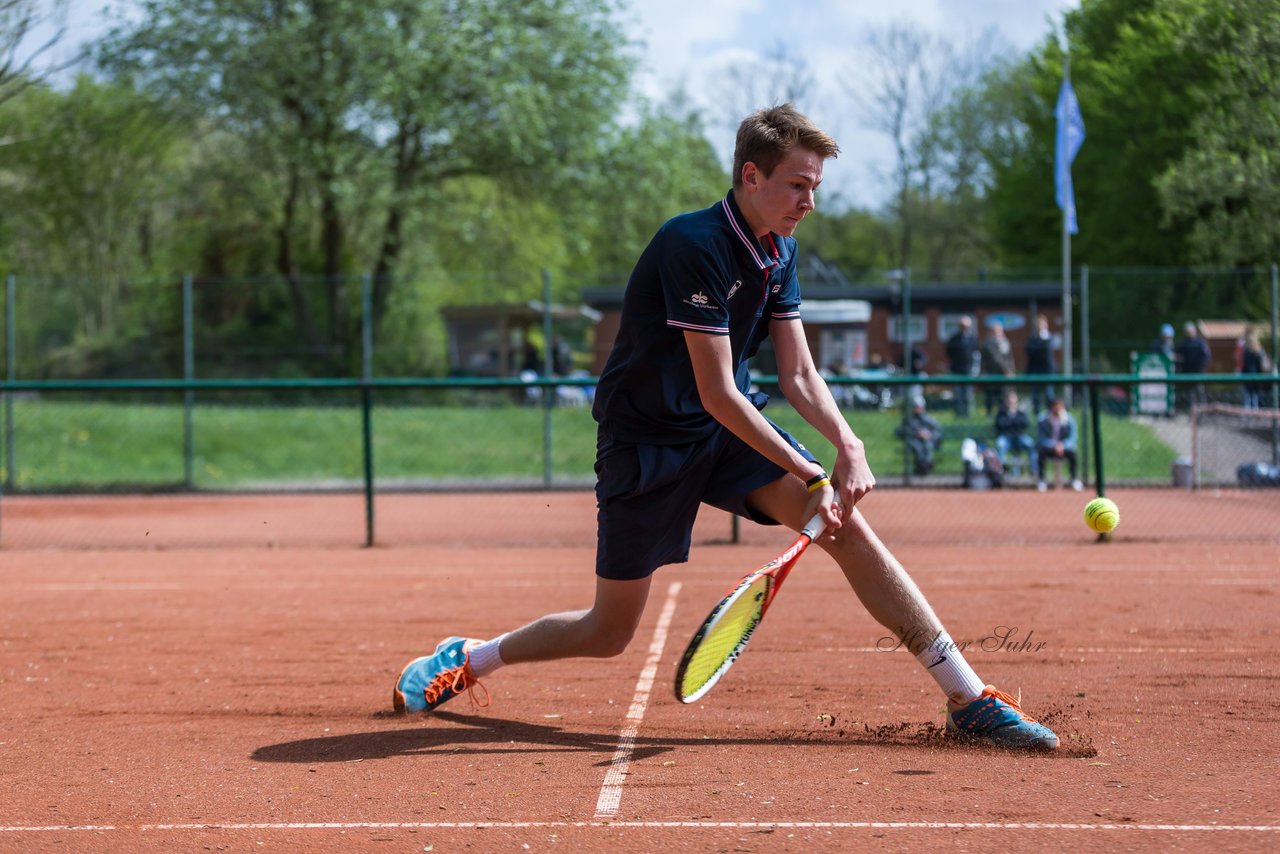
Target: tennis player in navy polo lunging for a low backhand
[(679, 427)]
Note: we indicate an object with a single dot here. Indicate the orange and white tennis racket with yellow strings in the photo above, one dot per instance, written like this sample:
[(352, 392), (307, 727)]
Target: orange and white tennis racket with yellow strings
[(724, 636)]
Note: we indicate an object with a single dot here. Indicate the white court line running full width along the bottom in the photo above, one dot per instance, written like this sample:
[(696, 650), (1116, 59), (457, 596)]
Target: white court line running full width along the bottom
[(802, 825)]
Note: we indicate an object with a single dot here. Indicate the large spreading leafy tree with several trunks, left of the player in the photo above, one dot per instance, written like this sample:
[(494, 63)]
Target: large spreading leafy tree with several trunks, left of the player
[(367, 109)]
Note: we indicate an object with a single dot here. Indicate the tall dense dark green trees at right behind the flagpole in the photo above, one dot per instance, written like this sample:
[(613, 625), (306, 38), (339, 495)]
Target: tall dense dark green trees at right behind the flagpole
[(1176, 168)]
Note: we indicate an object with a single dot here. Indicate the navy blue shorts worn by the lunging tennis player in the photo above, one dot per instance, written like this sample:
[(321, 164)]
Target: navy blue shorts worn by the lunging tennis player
[(648, 496)]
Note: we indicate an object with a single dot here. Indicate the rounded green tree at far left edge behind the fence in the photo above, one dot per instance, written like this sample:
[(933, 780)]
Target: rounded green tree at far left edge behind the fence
[(81, 181)]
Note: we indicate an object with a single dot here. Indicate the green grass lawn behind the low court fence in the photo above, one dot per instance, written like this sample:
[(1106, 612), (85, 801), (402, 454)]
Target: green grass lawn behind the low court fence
[(63, 445)]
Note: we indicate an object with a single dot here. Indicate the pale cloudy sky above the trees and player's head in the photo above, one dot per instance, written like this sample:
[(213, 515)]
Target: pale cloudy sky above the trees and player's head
[(689, 45)]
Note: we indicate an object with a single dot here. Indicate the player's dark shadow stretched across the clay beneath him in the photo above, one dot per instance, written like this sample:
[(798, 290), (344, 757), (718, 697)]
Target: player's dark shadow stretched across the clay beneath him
[(484, 734)]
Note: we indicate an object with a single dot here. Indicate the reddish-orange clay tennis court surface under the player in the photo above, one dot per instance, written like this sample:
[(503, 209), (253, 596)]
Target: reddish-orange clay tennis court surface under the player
[(214, 674)]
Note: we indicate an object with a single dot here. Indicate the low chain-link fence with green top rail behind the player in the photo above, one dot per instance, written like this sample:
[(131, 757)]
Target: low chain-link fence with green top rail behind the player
[(383, 437)]
